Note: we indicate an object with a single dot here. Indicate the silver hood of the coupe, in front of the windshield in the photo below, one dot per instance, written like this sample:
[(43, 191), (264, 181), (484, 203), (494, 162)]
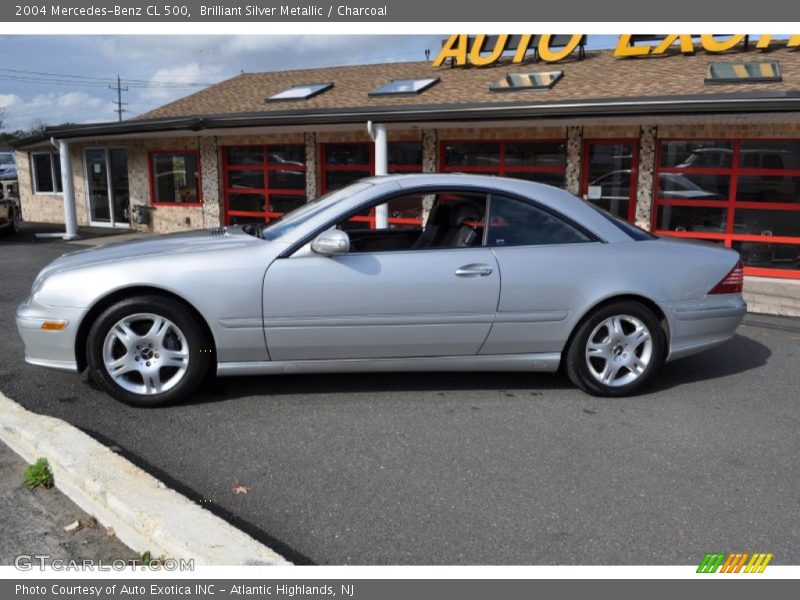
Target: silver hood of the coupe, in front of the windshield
[(173, 244)]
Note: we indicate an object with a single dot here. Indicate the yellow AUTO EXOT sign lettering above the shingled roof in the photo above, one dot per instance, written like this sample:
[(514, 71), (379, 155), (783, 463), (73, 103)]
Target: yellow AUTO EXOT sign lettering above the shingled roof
[(482, 50)]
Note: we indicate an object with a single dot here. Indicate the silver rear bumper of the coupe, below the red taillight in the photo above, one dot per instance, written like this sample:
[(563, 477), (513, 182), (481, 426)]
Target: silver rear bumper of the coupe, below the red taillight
[(696, 325)]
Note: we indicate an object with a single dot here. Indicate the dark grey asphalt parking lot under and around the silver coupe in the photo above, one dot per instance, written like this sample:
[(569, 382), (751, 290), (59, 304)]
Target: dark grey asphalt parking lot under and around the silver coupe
[(466, 468)]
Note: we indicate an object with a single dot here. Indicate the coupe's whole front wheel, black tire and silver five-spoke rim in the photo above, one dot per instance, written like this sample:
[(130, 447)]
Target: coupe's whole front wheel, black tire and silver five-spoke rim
[(148, 351)]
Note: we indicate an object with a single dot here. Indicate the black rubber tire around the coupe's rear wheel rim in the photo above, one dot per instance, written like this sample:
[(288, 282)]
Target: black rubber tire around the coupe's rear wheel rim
[(578, 365)]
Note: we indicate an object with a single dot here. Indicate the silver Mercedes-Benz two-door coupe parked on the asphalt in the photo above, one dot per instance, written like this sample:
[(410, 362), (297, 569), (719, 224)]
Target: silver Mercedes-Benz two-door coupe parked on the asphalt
[(505, 275)]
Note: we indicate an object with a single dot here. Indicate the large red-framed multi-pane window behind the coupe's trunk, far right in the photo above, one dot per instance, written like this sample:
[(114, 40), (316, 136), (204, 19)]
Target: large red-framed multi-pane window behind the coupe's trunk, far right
[(740, 193)]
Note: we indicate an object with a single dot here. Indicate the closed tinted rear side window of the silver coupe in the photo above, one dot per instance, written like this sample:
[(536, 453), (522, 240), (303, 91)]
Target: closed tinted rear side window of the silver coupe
[(514, 222)]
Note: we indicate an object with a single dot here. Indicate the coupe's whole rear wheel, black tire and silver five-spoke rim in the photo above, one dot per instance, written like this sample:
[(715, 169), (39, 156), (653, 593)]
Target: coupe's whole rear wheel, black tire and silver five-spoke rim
[(616, 350)]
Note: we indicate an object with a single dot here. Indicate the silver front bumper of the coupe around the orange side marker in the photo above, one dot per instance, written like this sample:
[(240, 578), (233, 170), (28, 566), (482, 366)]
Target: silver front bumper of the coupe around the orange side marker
[(47, 347)]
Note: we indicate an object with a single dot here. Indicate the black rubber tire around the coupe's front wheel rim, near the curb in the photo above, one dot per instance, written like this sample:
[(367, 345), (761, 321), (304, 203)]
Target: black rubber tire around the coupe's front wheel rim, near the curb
[(197, 347)]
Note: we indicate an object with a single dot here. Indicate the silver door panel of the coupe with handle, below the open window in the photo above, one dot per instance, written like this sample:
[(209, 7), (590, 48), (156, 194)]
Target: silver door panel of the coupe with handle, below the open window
[(413, 302)]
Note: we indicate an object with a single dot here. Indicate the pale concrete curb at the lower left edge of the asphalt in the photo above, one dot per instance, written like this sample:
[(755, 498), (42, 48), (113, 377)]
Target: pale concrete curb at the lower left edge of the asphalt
[(145, 514)]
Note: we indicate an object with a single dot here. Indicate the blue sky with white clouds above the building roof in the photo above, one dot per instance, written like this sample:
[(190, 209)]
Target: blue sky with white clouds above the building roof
[(59, 79)]
